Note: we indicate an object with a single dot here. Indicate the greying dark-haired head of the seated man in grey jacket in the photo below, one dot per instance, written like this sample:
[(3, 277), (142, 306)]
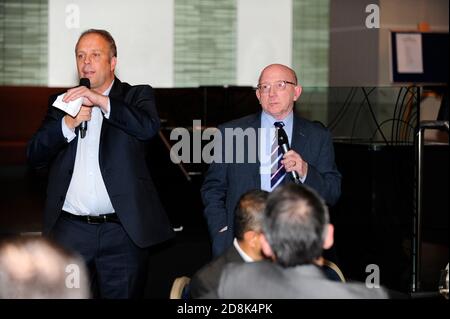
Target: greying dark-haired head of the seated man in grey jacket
[(295, 226)]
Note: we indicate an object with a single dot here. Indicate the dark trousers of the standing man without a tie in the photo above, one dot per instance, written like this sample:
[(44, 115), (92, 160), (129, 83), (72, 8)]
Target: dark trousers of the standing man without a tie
[(117, 267)]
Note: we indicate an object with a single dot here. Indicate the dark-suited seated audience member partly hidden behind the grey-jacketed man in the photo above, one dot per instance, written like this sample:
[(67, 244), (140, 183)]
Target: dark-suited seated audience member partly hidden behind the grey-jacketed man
[(246, 245)]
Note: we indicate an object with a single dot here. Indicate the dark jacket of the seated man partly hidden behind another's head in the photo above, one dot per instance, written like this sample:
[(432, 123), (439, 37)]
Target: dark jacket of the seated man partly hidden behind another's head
[(206, 280)]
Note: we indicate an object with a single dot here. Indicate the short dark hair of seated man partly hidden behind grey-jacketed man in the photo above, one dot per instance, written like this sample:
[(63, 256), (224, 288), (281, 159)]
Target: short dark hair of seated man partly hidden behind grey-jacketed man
[(249, 212)]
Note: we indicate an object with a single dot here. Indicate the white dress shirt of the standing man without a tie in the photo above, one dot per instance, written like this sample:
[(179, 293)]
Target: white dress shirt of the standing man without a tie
[(87, 194)]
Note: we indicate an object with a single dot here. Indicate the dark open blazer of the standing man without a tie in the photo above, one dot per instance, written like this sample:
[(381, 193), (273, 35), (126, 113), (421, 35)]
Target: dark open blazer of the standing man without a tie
[(133, 121)]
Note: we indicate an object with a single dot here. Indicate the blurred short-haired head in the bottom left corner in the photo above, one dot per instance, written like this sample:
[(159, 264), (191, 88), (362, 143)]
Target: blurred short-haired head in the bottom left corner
[(36, 268)]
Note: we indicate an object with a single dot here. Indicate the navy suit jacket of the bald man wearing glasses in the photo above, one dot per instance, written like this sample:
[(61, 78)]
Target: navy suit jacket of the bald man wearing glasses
[(225, 182)]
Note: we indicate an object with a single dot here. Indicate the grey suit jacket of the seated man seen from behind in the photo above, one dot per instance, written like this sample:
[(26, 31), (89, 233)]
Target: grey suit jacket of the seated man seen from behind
[(267, 280)]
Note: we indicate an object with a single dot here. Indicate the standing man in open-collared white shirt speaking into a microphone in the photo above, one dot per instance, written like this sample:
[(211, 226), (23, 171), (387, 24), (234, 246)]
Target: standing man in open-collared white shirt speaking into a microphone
[(101, 201)]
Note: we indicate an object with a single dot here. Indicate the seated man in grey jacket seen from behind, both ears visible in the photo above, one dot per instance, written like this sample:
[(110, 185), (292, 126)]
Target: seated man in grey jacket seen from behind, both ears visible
[(295, 230)]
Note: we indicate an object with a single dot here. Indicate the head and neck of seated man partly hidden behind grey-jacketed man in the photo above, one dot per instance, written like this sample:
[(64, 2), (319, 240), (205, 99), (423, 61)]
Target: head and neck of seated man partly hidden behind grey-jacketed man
[(247, 222)]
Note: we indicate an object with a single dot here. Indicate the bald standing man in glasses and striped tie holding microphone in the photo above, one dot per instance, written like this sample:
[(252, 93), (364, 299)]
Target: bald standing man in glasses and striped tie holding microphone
[(311, 155)]
